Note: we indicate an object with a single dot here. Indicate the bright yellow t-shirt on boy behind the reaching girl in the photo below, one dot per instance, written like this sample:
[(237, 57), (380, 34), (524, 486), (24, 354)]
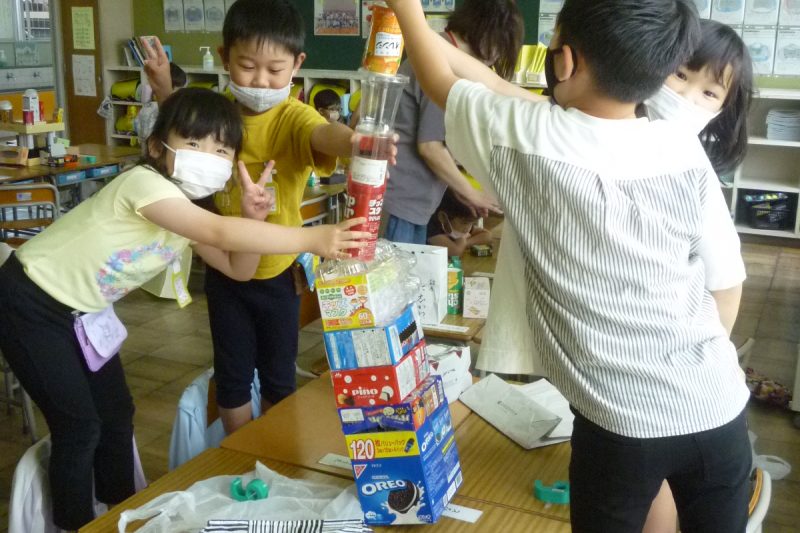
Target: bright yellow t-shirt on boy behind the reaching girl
[(283, 134)]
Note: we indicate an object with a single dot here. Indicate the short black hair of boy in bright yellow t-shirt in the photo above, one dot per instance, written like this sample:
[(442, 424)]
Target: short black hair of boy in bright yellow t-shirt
[(276, 21)]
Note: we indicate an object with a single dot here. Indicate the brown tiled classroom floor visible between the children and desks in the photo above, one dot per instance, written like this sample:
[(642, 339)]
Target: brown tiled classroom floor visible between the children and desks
[(167, 348)]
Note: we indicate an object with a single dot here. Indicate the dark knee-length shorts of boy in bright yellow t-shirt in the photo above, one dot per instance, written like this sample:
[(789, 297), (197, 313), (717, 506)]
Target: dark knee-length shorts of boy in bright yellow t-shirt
[(254, 325)]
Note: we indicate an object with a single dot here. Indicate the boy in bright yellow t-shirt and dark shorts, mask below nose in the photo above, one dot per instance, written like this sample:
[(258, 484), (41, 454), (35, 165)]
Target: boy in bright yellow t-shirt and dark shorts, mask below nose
[(255, 324)]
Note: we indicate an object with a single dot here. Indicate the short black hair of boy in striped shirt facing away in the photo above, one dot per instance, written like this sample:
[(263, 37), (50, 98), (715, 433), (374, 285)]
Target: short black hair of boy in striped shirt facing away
[(630, 46)]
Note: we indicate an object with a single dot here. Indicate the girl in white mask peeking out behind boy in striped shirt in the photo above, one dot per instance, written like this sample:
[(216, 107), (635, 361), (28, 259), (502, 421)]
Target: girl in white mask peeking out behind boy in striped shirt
[(711, 96)]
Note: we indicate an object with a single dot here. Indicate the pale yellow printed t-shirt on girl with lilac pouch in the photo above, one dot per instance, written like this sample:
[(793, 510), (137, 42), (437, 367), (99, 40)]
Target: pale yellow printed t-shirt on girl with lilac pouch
[(104, 248)]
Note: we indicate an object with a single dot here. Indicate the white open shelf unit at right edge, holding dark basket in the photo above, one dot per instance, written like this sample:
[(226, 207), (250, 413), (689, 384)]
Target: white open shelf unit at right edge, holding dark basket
[(770, 166)]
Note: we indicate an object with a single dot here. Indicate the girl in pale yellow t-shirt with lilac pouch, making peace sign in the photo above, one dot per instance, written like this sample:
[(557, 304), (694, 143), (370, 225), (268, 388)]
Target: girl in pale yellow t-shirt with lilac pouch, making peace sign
[(110, 244)]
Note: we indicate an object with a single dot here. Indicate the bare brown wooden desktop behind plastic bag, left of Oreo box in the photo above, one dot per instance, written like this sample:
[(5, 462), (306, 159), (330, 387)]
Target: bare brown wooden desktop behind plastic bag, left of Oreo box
[(303, 428)]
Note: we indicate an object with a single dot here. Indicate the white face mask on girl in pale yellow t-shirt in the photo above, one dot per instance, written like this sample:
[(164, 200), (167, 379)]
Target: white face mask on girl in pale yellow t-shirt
[(200, 174)]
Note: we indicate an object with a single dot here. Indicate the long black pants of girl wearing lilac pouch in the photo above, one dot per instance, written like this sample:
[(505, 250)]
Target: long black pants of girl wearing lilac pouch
[(90, 414)]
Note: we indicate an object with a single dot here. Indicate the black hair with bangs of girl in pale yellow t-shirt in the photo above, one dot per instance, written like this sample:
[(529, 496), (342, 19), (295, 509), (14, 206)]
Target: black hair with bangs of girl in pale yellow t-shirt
[(195, 113)]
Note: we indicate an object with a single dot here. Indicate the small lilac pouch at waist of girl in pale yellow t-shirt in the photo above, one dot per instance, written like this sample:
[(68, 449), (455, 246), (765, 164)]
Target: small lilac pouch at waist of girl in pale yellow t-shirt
[(100, 336)]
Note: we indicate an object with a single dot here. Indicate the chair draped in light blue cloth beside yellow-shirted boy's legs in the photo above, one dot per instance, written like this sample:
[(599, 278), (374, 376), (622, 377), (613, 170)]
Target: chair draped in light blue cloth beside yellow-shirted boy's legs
[(197, 425)]
